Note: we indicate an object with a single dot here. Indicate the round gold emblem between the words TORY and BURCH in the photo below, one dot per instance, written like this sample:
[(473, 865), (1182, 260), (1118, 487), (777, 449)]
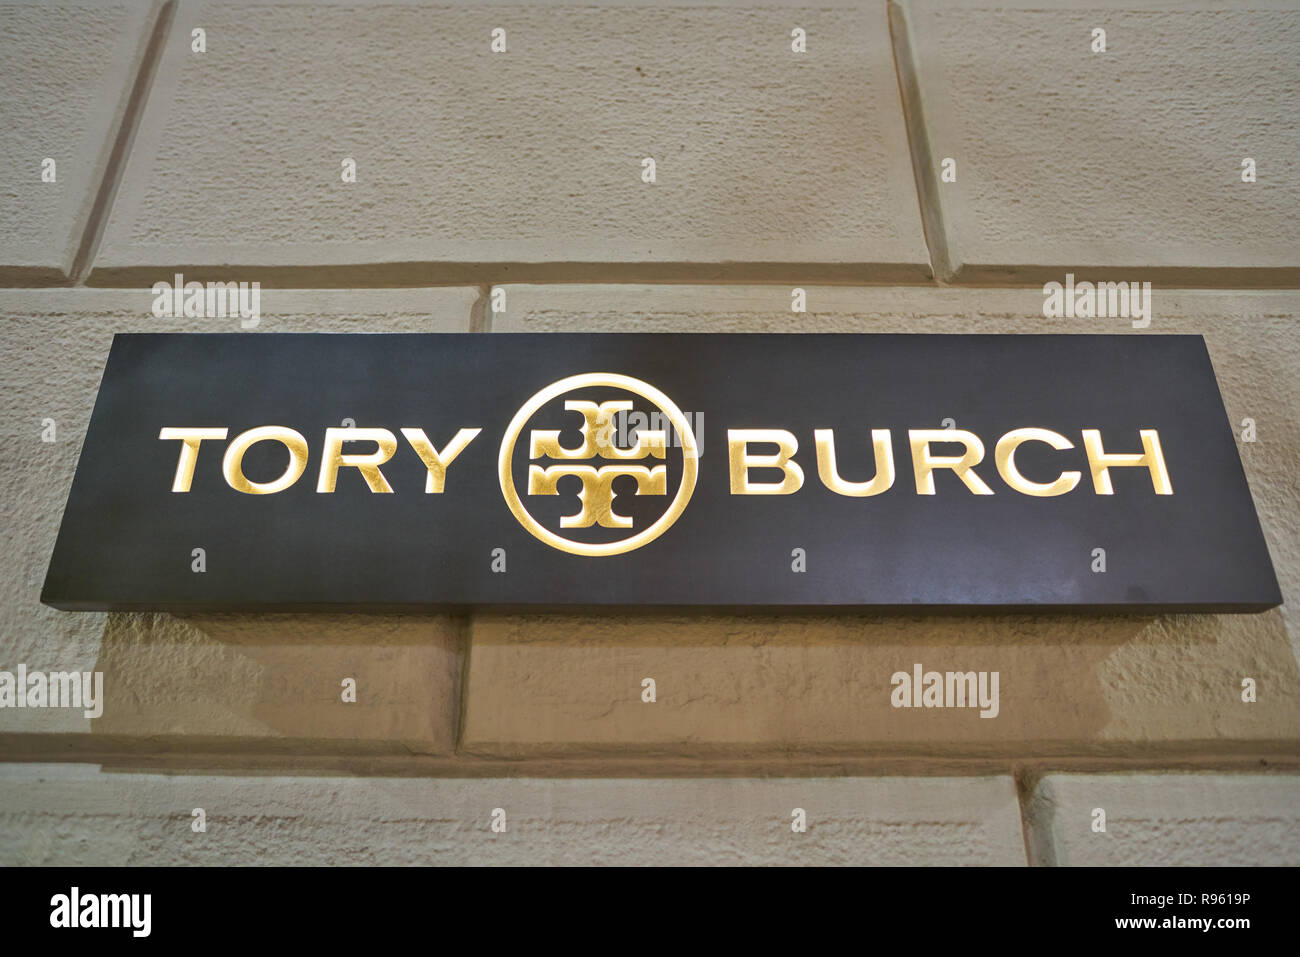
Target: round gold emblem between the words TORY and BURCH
[(606, 453)]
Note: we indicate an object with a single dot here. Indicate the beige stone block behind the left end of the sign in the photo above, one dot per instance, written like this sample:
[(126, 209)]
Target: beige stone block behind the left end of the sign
[(201, 682)]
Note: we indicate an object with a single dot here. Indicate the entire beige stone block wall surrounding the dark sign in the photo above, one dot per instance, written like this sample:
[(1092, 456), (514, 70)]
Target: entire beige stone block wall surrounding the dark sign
[(522, 172)]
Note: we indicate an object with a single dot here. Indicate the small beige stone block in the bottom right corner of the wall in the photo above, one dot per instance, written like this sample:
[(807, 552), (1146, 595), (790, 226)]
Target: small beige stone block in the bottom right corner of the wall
[(1167, 820)]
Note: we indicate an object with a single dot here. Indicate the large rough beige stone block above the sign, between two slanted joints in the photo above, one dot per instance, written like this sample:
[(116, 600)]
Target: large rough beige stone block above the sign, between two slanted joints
[(476, 163)]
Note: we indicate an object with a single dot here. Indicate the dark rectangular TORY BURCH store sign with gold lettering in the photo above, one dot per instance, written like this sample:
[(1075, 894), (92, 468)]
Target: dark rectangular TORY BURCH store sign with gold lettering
[(270, 471)]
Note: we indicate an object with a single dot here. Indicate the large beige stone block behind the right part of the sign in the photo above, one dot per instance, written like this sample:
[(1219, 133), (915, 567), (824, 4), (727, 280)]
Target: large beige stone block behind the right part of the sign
[(1156, 687)]
